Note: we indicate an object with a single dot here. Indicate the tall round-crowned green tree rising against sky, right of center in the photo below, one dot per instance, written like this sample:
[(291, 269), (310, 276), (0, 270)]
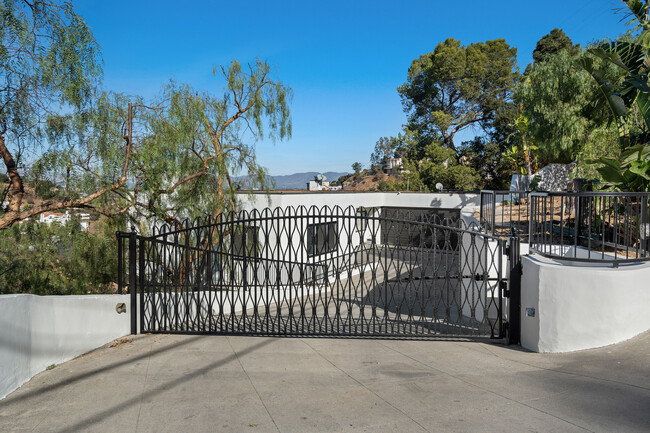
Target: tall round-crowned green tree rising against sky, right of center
[(456, 87)]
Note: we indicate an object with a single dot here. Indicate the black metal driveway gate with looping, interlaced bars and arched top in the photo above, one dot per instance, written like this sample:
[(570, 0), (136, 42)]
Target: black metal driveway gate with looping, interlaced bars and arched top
[(319, 271)]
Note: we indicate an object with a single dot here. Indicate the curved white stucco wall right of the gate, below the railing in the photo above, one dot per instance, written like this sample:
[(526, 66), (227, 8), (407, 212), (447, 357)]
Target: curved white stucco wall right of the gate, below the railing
[(578, 306)]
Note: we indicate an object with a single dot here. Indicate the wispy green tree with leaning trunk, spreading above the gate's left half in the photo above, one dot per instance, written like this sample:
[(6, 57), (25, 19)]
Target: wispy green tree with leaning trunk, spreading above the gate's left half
[(175, 159)]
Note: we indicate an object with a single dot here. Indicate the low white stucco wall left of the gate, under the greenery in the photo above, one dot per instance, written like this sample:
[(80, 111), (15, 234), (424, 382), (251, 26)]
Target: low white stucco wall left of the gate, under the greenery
[(38, 331)]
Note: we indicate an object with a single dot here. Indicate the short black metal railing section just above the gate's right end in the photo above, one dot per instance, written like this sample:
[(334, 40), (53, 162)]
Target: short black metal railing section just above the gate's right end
[(505, 213)]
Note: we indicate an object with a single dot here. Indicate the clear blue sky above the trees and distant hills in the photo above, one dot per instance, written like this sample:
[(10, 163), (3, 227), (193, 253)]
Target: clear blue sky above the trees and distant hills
[(343, 59)]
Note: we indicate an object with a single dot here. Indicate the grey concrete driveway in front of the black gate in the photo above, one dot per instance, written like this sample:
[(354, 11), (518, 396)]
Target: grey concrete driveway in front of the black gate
[(174, 383)]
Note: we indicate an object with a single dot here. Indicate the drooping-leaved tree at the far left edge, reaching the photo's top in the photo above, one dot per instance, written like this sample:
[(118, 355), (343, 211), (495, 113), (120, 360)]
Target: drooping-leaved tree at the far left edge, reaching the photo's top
[(48, 59)]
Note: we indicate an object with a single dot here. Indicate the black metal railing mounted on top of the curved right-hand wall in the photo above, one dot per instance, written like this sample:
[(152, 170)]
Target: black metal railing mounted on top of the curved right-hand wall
[(610, 227)]
